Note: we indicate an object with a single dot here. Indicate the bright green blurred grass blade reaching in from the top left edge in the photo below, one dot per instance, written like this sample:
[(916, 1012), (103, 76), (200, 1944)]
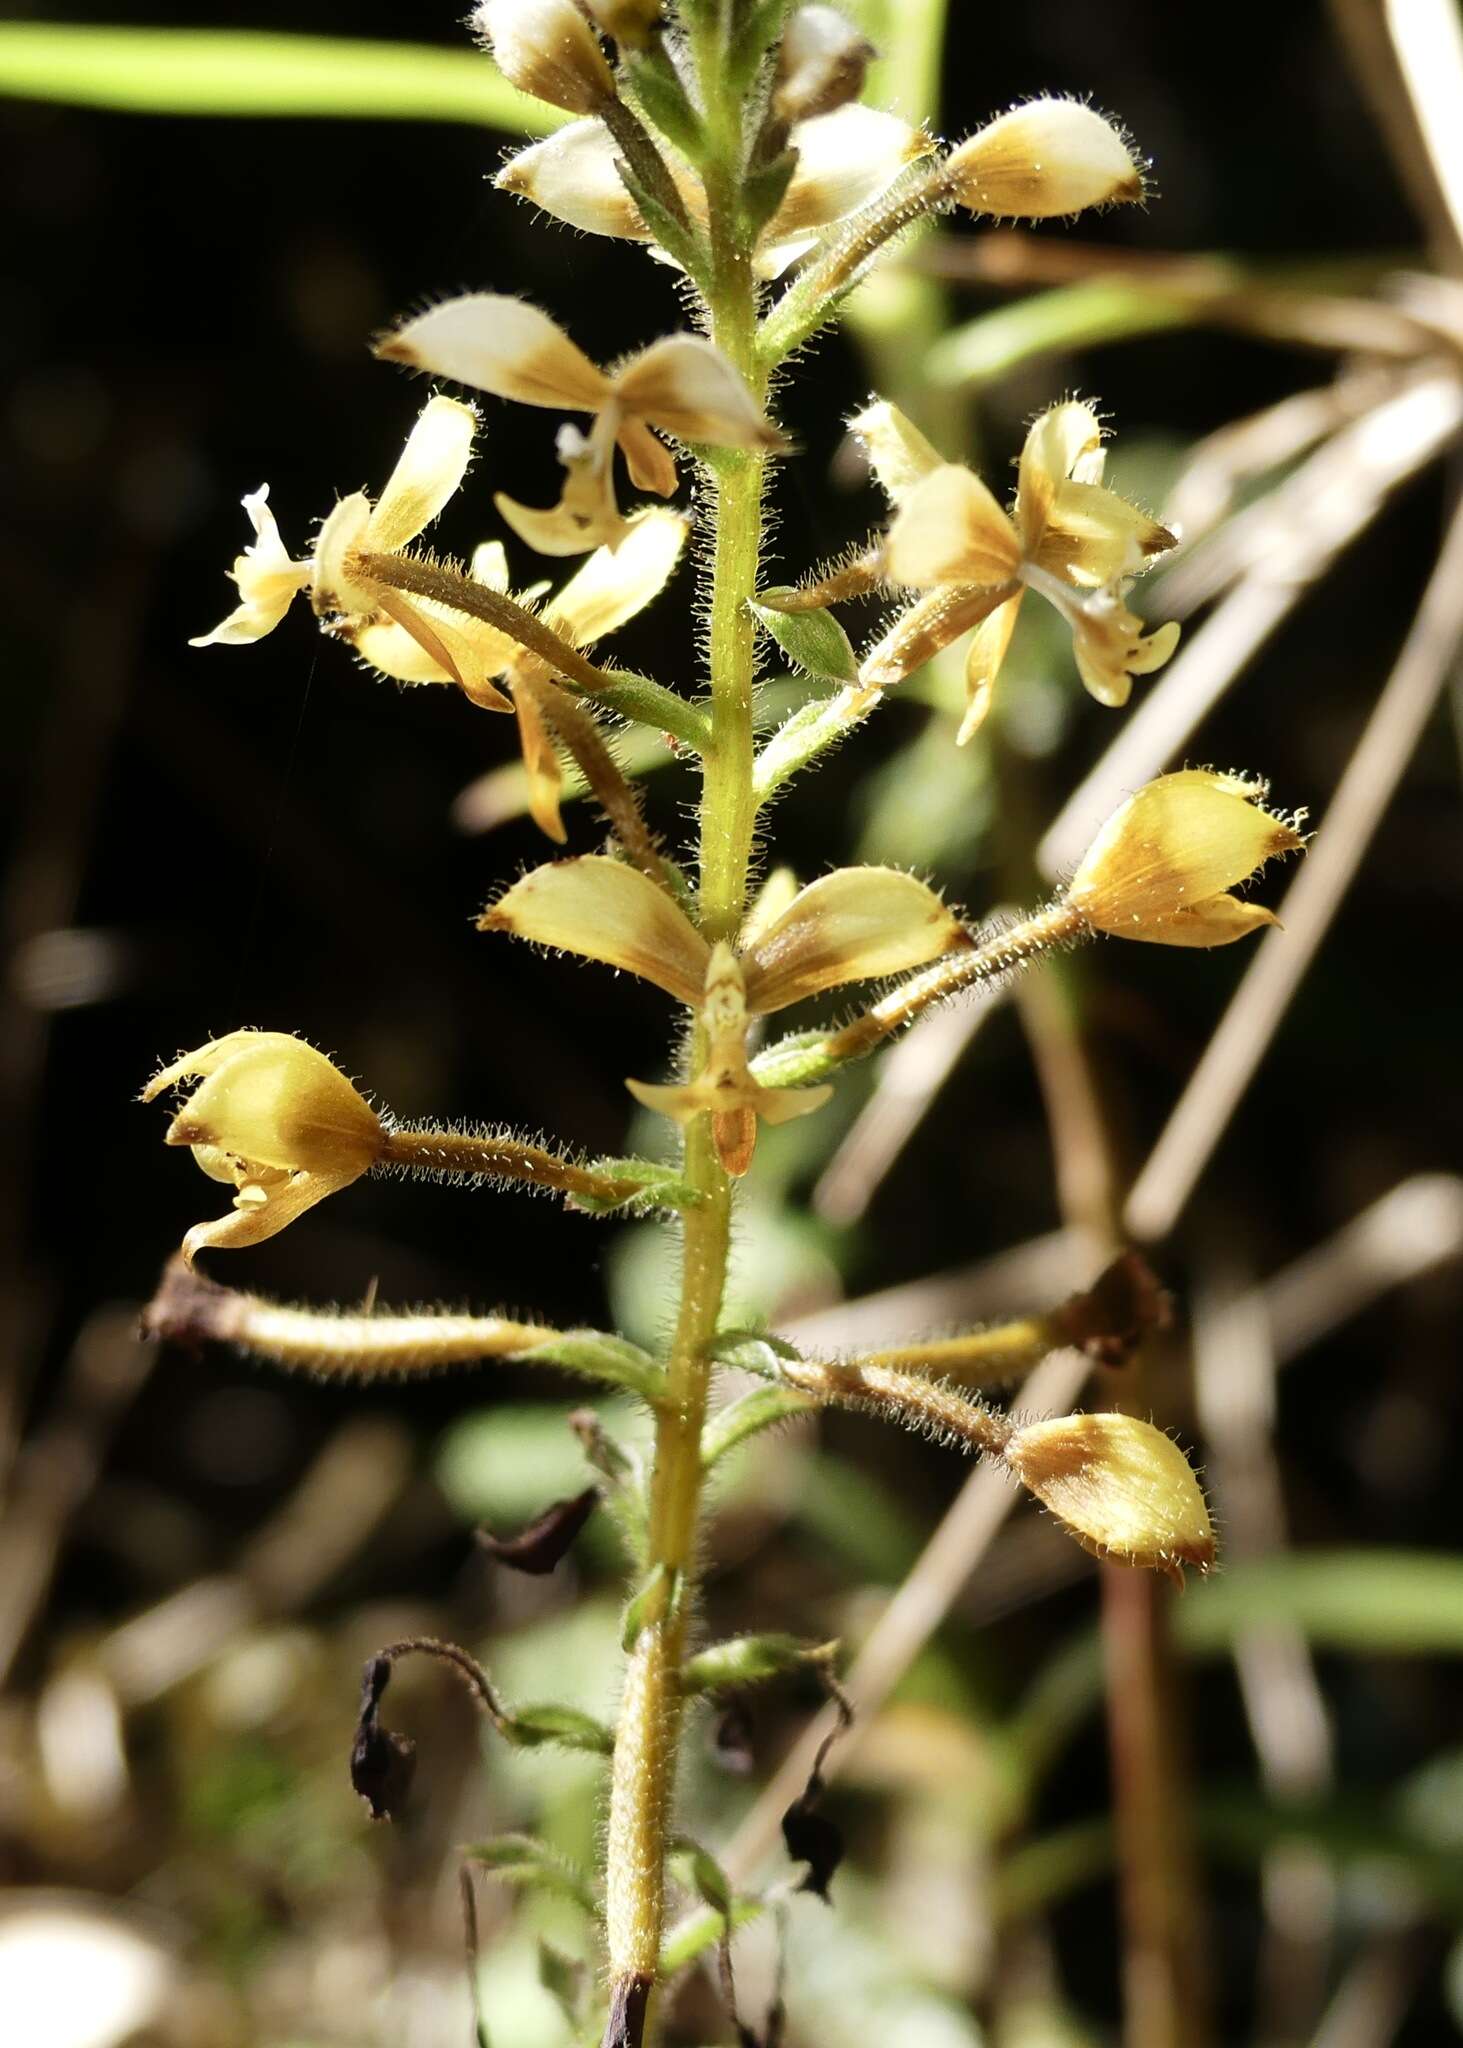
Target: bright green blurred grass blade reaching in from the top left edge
[(237, 73)]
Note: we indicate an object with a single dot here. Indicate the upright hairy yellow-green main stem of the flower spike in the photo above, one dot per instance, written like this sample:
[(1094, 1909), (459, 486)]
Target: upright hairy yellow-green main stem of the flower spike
[(649, 1732)]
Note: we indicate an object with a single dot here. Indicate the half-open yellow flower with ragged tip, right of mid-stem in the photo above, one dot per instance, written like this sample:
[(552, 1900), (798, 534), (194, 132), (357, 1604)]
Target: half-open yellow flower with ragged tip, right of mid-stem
[(1163, 865)]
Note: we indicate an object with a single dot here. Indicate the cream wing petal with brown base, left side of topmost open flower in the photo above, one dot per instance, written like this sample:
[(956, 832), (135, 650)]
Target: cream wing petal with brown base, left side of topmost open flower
[(505, 347)]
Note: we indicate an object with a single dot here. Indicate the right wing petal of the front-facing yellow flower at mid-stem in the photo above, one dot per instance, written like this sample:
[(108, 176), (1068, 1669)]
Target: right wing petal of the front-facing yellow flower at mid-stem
[(855, 925)]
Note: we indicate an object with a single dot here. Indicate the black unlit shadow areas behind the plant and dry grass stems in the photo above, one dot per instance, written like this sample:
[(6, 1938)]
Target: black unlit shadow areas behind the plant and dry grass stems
[(261, 837)]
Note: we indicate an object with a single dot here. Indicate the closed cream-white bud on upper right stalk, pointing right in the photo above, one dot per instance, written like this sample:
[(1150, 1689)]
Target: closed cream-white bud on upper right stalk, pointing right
[(1044, 159)]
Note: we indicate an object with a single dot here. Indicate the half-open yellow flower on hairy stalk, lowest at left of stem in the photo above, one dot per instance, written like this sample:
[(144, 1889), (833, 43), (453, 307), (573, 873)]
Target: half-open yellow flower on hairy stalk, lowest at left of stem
[(278, 1121)]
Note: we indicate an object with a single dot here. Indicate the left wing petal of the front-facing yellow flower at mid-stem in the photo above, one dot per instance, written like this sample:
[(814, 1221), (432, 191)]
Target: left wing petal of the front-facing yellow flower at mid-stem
[(608, 912)]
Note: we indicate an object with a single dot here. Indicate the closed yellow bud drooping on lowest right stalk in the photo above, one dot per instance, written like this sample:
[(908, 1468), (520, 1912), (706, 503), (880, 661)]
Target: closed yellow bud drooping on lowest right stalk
[(1120, 1486)]
